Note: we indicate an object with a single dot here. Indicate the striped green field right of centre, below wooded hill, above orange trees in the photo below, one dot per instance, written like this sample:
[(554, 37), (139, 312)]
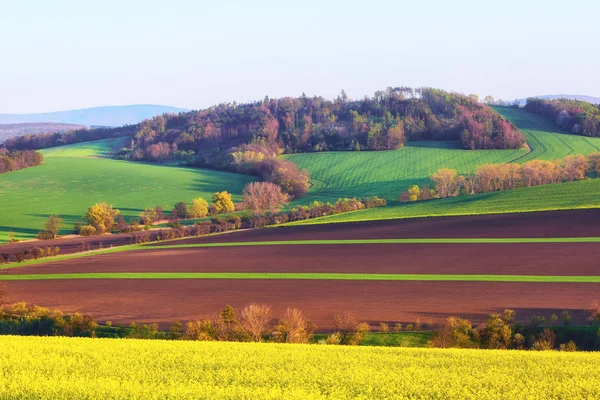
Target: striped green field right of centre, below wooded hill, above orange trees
[(387, 173)]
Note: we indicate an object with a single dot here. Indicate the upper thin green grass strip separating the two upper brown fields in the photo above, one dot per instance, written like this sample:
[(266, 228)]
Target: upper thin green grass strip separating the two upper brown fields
[(381, 241)]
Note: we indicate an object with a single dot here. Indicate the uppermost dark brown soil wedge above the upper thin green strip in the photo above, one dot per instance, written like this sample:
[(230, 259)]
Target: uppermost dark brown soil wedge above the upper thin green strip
[(576, 223)]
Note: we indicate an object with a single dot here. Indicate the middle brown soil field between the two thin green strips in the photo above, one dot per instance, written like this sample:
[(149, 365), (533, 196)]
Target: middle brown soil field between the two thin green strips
[(516, 259)]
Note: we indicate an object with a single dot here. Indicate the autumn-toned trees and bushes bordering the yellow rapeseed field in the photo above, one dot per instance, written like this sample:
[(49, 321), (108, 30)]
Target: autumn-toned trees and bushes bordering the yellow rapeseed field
[(257, 323)]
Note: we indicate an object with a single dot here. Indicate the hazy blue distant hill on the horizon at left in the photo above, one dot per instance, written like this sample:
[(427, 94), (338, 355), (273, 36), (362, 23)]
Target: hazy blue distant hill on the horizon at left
[(97, 116)]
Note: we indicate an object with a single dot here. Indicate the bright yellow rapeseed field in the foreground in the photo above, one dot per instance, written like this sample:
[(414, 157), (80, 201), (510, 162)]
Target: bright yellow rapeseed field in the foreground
[(72, 368)]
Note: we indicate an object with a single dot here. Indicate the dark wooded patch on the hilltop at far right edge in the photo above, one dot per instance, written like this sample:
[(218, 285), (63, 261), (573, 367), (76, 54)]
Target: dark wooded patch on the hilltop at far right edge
[(574, 116)]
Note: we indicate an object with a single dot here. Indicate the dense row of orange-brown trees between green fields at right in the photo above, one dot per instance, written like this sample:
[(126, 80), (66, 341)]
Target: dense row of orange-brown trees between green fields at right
[(497, 177)]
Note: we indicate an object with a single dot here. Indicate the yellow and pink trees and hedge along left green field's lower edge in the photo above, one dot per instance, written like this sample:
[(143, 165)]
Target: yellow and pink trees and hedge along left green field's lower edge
[(260, 206)]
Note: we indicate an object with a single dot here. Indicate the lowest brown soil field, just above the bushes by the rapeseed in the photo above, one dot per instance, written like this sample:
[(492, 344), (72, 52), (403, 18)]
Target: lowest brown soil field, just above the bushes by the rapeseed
[(148, 301)]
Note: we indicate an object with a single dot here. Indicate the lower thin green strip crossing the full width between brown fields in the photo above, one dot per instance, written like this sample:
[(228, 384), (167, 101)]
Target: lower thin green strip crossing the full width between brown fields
[(305, 276)]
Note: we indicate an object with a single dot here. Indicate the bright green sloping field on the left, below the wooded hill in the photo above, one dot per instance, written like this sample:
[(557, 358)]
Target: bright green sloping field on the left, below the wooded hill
[(75, 177)]
